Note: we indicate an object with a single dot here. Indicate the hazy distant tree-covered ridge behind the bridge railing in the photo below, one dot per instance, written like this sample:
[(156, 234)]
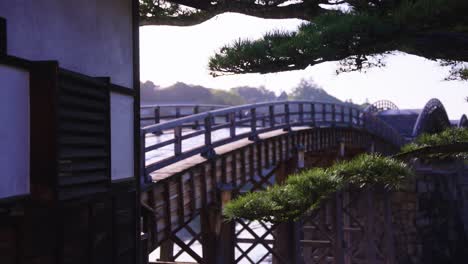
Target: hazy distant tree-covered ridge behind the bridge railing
[(195, 94)]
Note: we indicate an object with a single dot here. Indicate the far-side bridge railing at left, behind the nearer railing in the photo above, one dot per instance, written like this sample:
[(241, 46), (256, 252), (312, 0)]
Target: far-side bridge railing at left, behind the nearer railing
[(155, 114)]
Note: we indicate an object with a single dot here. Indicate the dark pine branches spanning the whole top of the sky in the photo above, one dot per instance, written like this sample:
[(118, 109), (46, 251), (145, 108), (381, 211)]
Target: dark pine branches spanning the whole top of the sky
[(355, 32)]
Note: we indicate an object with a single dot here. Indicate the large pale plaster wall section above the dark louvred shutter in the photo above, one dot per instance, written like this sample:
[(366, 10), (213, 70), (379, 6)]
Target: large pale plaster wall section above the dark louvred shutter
[(93, 37)]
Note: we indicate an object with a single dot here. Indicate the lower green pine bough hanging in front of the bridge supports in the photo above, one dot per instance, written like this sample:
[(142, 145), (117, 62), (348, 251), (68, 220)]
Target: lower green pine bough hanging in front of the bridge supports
[(307, 190)]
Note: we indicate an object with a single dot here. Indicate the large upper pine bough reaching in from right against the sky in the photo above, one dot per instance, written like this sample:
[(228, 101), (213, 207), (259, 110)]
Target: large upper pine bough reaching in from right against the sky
[(378, 27)]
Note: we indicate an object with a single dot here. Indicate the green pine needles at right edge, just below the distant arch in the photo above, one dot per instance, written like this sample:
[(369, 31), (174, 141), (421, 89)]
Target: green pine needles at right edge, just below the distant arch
[(446, 137)]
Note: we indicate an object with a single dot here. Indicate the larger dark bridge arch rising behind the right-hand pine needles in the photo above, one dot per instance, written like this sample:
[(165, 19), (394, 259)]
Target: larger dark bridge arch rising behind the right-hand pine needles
[(432, 119)]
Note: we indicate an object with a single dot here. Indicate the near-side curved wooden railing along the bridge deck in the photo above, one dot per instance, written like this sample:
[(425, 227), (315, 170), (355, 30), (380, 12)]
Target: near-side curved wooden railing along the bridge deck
[(248, 121)]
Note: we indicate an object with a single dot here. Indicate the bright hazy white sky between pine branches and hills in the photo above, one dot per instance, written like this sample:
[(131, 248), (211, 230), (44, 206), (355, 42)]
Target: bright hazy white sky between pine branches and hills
[(171, 54)]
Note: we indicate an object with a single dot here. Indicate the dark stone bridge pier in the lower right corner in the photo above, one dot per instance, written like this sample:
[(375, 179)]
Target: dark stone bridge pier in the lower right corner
[(430, 215)]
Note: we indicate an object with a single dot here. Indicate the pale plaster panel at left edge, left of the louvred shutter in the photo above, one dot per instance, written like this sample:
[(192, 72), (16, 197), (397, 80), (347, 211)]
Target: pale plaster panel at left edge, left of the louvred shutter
[(14, 132)]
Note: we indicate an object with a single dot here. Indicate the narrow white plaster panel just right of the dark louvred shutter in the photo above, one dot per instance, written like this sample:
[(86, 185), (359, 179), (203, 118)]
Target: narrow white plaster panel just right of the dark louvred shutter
[(121, 136)]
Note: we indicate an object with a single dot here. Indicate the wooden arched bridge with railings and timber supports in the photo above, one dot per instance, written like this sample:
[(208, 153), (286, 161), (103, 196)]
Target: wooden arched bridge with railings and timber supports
[(196, 163)]
